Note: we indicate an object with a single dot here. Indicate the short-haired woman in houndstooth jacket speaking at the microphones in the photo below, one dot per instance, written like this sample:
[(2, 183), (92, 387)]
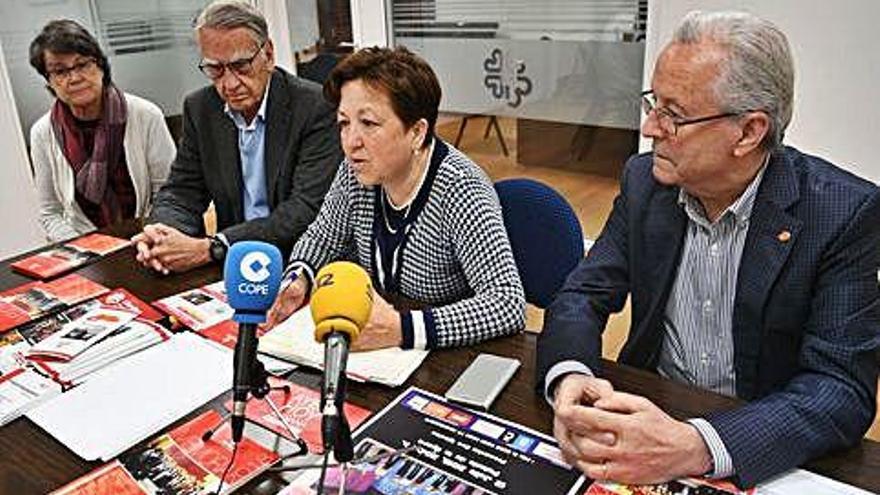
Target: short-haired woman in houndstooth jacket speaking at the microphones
[(420, 216)]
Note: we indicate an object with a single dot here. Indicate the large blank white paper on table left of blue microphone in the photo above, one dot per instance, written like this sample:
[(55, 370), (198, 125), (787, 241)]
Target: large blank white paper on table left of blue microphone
[(131, 400)]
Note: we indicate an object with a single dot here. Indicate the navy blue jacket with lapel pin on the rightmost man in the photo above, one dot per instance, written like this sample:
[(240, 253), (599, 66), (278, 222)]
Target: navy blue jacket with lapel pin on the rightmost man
[(806, 319)]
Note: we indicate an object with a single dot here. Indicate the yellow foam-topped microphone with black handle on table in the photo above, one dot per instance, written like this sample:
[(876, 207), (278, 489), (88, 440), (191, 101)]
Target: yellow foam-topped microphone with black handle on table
[(341, 304)]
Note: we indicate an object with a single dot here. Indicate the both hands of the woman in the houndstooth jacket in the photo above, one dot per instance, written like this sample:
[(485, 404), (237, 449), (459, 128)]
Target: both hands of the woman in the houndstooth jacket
[(381, 330)]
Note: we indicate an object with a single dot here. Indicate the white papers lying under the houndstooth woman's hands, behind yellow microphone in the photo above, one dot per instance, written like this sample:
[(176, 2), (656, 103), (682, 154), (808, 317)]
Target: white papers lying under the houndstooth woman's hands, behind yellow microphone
[(294, 340)]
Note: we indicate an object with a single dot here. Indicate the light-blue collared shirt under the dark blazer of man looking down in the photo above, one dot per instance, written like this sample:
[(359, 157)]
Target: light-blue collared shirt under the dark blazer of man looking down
[(252, 151)]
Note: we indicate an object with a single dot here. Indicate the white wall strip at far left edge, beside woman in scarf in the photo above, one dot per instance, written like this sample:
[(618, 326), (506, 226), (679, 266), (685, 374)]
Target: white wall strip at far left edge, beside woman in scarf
[(18, 201)]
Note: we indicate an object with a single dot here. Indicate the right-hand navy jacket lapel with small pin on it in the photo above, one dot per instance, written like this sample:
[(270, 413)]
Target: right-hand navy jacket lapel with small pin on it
[(772, 234)]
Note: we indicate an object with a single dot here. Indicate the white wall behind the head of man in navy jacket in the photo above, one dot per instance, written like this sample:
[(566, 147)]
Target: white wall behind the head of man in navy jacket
[(837, 70)]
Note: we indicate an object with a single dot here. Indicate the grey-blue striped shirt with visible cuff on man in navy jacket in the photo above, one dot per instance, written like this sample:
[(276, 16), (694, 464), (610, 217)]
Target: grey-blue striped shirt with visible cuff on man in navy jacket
[(698, 338)]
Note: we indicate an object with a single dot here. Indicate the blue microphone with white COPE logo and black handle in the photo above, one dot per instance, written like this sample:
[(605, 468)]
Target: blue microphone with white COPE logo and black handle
[(252, 274)]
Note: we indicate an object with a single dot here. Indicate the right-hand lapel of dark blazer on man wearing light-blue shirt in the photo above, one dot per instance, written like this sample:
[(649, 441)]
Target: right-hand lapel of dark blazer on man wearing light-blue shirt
[(278, 117)]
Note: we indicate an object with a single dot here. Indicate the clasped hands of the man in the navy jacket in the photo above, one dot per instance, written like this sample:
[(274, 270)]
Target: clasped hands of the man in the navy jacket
[(611, 435)]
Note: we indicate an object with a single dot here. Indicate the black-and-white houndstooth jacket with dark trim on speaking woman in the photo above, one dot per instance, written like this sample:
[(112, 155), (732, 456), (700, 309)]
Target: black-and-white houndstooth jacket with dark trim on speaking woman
[(457, 259)]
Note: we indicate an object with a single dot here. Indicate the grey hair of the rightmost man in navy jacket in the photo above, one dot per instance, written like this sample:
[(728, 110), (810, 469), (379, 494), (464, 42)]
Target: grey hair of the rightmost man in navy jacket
[(757, 72)]
